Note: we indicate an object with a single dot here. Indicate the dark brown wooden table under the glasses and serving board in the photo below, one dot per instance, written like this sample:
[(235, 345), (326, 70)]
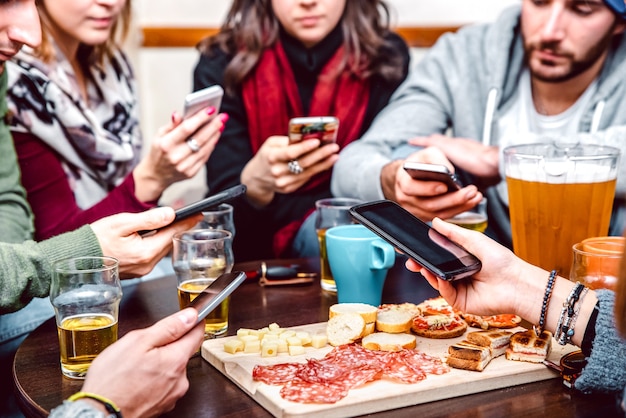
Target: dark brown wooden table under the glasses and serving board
[(40, 385)]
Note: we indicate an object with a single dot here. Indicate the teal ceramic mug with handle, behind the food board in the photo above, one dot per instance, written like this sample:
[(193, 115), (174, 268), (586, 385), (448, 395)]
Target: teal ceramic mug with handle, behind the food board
[(359, 261)]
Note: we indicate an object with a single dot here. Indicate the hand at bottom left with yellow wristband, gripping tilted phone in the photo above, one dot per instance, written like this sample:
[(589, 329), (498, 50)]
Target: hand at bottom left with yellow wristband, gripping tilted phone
[(144, 372)]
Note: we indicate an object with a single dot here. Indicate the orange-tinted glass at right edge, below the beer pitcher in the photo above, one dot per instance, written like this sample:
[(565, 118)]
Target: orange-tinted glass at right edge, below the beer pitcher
[(597, 262)]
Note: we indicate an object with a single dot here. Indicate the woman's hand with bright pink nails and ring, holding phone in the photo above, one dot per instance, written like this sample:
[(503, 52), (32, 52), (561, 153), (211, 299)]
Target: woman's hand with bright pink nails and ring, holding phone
[(171, 159)]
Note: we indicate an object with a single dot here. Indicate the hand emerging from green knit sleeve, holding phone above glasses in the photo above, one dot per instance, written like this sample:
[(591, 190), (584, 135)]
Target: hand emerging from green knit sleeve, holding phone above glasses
[(118, 237)]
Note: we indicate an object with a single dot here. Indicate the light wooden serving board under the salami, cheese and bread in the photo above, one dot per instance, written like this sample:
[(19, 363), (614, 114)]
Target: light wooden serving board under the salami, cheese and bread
[(379, 395)]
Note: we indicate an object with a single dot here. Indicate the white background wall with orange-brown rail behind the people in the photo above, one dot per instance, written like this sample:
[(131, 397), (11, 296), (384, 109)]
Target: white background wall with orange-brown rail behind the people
[(165, 32)]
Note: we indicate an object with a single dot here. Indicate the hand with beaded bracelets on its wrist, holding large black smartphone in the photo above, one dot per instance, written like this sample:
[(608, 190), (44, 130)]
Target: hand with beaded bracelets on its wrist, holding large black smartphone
[(505, 284)]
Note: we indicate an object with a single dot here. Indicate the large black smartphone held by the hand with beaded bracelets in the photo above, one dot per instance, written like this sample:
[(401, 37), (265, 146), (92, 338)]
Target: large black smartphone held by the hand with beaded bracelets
[(441, 256)]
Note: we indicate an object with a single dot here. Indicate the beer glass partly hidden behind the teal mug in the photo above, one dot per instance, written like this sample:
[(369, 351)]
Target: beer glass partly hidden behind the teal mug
[(333, 211)]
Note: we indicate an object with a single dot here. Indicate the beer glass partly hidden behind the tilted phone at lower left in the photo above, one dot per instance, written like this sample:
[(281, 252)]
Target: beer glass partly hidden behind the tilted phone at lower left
[(199, 257)]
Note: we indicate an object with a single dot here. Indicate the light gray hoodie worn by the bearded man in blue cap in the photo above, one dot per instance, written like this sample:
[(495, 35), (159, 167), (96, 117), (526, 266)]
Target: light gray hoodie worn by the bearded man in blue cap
[(464, 83)]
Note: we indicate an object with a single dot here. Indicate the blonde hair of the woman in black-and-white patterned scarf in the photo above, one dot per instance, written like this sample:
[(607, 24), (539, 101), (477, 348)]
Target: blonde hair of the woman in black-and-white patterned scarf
[(87, 54)]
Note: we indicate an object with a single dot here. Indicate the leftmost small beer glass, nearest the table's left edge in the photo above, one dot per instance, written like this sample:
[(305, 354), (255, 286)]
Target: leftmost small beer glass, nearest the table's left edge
[(86, 294)]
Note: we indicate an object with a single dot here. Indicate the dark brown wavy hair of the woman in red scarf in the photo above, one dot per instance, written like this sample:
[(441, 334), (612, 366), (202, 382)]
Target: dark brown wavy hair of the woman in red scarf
[(251, 26)]
